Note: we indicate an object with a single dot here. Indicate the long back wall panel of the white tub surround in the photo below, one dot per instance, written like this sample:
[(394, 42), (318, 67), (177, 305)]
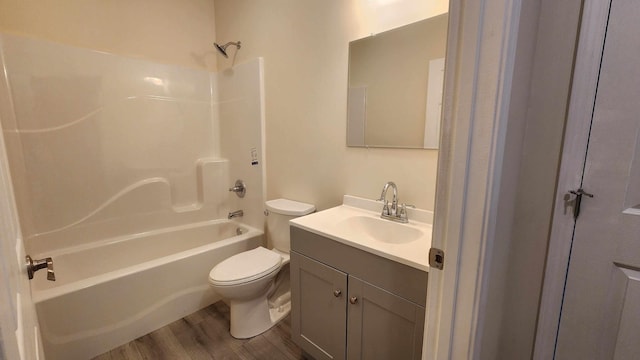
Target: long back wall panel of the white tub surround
[(103, 137)]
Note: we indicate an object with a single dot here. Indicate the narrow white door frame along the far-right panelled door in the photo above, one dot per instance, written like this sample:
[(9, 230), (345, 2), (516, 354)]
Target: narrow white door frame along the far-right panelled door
[(583, 93)]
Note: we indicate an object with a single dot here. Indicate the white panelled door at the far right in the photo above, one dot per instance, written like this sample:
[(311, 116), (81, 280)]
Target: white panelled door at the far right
[(600, 314)]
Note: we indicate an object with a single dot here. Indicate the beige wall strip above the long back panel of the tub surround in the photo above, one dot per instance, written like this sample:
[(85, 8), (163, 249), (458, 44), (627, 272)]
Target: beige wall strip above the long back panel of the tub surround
[(177, 32)]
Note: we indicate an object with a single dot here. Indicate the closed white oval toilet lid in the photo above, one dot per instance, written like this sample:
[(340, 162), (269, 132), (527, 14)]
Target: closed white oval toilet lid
[(244, 267)]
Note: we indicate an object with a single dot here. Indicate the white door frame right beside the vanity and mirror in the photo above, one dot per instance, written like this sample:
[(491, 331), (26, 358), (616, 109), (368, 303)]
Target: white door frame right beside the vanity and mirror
[(474, 174)]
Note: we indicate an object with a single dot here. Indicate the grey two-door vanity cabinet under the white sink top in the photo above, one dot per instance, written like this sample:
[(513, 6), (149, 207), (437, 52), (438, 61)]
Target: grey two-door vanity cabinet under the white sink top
[(351, 304)]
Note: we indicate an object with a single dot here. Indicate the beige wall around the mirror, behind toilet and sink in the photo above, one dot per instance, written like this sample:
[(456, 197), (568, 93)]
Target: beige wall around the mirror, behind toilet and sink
[(305, 50)]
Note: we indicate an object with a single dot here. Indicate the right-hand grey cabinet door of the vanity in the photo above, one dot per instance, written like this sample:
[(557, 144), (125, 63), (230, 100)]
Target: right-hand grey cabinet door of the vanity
[(382, 325)]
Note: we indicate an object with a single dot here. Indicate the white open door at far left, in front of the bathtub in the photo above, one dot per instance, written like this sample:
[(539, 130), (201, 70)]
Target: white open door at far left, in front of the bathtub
[(18, 331)]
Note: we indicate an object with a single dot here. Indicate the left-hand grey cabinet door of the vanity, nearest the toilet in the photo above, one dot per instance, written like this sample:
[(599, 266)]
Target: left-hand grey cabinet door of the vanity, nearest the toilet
[(318, 314)]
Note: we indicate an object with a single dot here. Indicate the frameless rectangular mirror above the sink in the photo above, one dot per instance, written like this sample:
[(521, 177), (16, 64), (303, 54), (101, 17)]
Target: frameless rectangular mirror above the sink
[(395, 86)]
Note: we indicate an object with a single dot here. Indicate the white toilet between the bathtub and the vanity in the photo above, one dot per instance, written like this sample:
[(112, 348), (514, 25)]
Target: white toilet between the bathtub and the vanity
[(256, 282)]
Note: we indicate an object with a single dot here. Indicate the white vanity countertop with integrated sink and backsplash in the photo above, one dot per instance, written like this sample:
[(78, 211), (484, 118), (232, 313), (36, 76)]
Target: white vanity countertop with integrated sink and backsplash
[(330, 223)]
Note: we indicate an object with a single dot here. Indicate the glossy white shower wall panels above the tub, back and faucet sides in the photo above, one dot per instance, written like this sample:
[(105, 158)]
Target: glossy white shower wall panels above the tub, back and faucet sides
[(103, 145)]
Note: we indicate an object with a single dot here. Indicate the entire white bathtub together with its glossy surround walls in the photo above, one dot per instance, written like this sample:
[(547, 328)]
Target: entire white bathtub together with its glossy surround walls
[(102, 147)]
